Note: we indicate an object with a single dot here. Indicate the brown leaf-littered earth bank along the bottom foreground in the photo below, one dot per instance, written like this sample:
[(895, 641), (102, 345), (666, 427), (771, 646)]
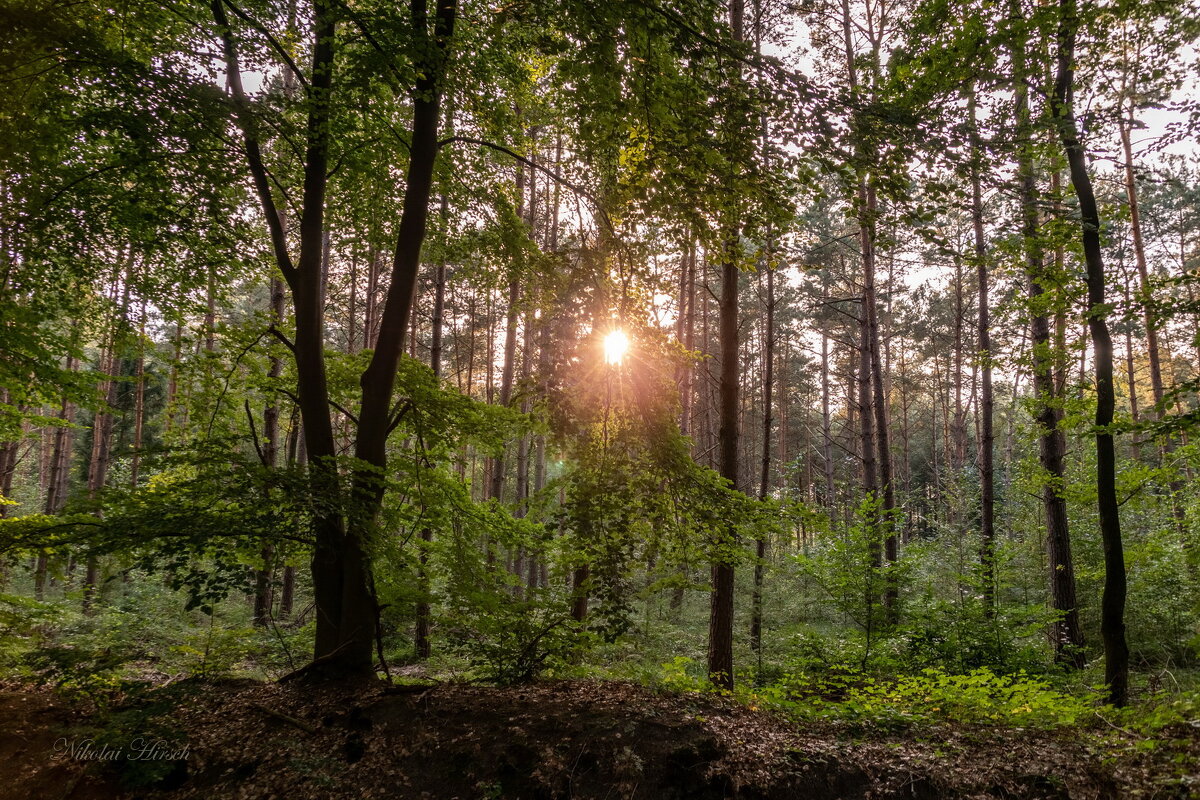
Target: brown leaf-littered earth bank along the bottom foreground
[(567, 739)]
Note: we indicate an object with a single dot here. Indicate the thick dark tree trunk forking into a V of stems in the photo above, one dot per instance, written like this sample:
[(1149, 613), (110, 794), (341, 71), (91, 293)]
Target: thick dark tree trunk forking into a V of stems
[(343, 584)]
